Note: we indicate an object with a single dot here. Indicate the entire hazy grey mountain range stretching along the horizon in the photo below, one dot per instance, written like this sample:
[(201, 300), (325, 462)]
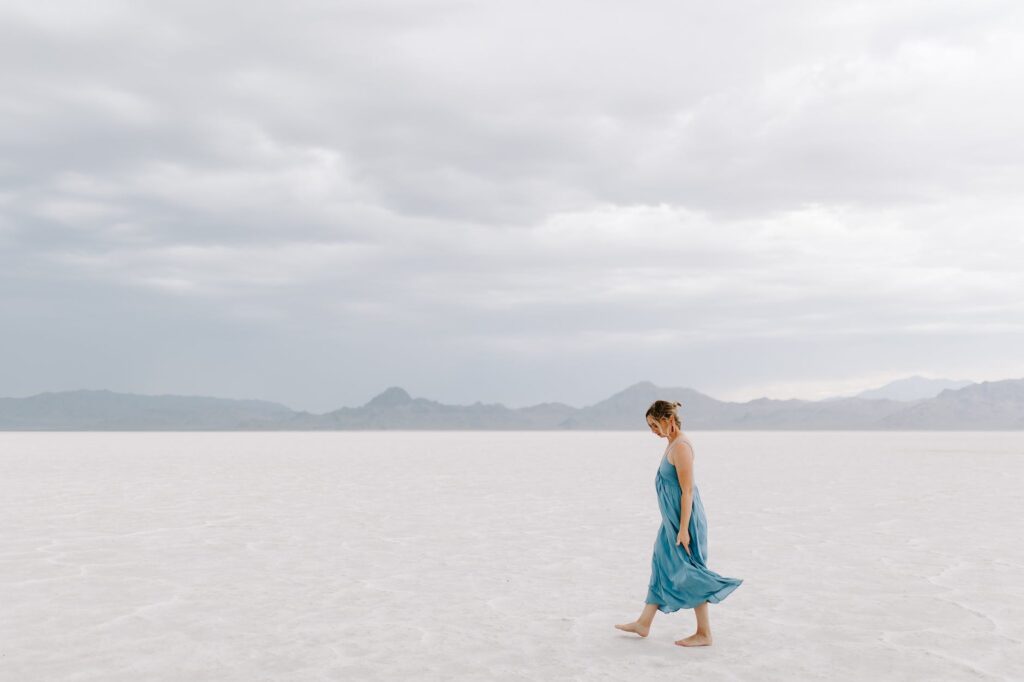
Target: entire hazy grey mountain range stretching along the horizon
[(998, 405)]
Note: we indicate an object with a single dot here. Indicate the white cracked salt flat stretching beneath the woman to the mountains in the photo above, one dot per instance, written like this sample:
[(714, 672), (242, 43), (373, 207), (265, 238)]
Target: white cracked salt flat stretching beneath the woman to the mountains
[(504, 557)]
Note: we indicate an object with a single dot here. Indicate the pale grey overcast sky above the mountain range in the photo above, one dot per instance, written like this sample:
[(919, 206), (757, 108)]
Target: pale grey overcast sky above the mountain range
[(516, 202)]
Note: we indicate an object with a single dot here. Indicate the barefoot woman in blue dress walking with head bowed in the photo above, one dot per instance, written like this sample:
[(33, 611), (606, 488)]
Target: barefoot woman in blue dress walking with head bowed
[(679, 577)]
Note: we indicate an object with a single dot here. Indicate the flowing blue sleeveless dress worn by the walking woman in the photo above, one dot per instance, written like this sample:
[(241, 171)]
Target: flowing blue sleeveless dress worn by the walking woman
[(679, 580)]
